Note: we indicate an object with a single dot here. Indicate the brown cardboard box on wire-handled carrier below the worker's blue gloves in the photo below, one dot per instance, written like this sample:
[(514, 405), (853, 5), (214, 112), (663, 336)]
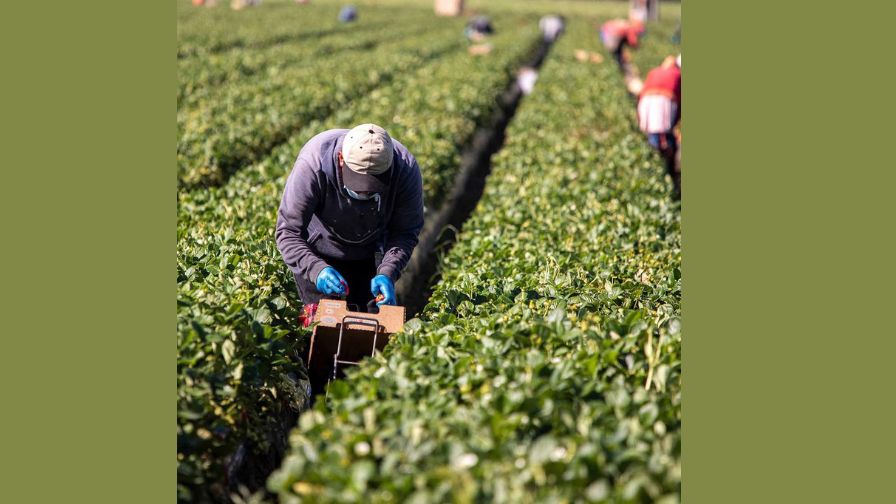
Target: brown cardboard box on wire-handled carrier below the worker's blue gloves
[(362, 334)]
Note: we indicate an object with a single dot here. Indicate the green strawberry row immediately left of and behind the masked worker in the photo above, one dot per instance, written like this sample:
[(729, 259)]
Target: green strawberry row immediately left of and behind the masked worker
[(237, 305)]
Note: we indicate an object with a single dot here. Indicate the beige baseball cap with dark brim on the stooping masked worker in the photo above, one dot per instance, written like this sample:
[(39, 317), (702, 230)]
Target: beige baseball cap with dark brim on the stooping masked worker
[(367, 152)]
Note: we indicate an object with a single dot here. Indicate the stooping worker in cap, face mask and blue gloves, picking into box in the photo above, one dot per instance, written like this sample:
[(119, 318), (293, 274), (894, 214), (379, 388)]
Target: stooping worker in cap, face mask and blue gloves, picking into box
[(352, 195)]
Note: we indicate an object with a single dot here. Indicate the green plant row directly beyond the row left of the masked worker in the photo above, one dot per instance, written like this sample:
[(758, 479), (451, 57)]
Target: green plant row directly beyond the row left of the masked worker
[(222, 130)]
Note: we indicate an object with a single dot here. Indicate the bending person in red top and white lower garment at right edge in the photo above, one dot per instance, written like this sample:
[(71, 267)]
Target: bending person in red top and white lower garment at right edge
[(659, 110)]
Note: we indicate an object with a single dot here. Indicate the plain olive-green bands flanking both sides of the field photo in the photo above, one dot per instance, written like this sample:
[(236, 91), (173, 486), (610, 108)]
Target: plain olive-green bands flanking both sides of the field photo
[(787, 252)]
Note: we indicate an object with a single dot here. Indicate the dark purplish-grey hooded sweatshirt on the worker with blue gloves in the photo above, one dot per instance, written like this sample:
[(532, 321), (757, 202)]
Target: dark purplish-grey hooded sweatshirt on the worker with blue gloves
[(317, 220)]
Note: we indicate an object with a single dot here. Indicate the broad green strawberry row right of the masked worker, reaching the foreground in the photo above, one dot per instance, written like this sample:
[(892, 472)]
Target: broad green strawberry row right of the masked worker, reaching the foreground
[(546, 367)]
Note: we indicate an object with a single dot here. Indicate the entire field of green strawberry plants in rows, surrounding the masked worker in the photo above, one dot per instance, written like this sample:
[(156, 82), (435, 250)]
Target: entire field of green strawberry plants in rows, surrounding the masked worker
[(546, 364)]
